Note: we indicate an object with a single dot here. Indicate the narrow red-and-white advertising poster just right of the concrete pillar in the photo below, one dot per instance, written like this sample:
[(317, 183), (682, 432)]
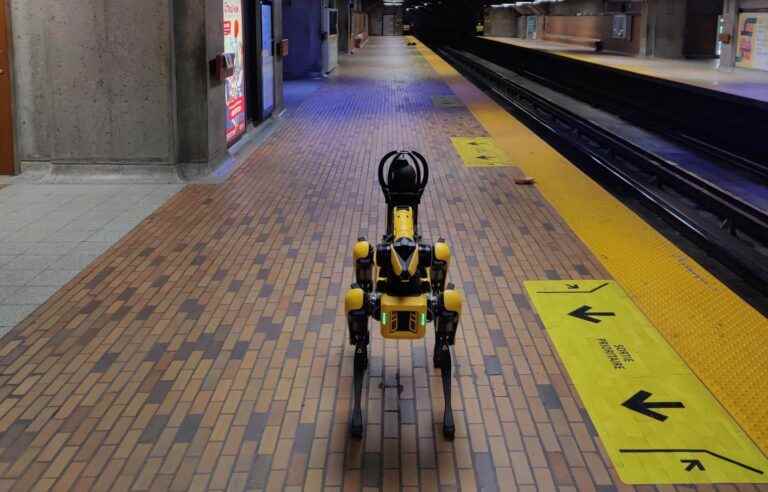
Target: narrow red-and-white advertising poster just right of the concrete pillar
[(234, 85)]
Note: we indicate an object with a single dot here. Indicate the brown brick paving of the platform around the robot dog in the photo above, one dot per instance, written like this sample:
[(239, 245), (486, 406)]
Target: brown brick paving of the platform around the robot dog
[(207, 350)]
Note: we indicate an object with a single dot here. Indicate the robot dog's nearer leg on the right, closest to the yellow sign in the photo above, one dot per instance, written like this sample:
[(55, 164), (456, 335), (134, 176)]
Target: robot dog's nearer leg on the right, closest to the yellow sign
[(447, 322)]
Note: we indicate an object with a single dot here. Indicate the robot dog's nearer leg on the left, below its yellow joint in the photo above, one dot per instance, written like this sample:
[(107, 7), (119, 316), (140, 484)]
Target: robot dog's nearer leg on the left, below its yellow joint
[(357, 319)]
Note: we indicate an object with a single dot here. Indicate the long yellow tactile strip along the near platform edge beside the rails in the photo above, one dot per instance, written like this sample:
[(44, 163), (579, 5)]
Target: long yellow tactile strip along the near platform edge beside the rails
[(721, 338)]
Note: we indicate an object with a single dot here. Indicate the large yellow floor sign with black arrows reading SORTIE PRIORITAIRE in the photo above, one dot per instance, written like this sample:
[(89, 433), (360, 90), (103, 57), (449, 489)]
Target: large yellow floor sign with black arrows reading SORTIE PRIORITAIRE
[(658, 422)]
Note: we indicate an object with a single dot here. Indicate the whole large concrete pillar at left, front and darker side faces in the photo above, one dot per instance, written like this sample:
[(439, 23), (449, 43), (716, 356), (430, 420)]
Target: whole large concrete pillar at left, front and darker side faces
[(121, 86)]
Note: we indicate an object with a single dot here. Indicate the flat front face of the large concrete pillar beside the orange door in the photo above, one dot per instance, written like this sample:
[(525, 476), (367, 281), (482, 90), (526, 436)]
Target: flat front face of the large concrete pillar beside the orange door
[(94, 82)]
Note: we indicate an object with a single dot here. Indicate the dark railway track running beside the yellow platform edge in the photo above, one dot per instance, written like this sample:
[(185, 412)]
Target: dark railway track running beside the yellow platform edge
[(728, 228)]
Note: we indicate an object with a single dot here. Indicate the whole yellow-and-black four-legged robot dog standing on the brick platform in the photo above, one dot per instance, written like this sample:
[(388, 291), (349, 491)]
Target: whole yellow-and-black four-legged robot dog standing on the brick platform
[(409, 290)]
